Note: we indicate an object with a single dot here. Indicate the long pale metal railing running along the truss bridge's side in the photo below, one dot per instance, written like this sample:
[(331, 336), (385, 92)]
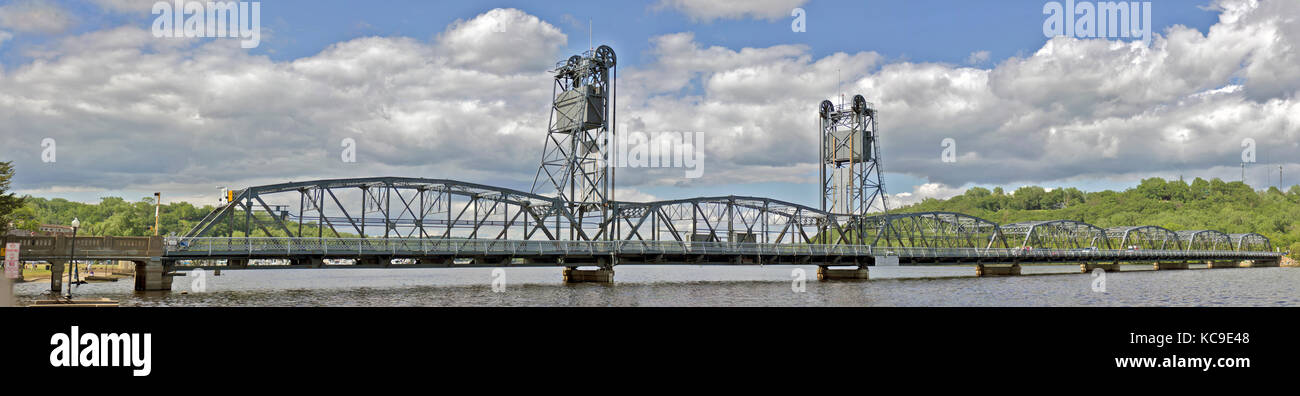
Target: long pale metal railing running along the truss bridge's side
[(435, 246)]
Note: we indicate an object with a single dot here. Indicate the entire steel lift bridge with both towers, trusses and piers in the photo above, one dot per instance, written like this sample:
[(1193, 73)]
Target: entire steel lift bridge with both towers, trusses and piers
[(571, 220)]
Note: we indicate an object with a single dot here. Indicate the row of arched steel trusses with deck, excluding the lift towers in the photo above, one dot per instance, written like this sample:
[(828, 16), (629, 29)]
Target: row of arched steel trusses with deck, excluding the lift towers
[(440, 223)]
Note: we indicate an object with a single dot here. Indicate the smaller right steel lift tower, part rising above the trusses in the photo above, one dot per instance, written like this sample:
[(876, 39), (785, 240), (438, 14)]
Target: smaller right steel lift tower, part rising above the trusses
[(852, 181)]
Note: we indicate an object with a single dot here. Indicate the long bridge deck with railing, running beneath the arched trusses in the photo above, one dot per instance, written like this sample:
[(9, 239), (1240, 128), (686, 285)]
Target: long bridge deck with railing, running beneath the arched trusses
[(549, 253)]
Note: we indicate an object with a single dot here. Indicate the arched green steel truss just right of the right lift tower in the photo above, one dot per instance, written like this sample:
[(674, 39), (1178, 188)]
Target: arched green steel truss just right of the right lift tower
[(939, 230)]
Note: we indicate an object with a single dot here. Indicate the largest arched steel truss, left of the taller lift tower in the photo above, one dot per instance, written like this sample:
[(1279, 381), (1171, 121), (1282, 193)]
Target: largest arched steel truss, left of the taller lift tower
[(389, 208)]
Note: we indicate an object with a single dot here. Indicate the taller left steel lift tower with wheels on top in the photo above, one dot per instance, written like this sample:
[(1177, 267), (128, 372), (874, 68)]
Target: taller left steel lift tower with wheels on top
[(577, 164)]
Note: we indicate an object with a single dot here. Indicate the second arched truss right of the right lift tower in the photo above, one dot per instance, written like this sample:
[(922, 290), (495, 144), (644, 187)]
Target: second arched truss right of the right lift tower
[(1058, 234)]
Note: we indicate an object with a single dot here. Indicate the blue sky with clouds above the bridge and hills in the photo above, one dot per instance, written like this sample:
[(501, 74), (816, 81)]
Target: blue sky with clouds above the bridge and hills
[(461, 90)]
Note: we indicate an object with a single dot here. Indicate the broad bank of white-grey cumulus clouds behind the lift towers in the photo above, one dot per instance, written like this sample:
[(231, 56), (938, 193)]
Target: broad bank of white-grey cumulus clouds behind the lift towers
[(135, 112)]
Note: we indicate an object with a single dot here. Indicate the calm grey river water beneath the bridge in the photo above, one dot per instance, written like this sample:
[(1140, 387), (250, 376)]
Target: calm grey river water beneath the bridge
[(710, 286)]
